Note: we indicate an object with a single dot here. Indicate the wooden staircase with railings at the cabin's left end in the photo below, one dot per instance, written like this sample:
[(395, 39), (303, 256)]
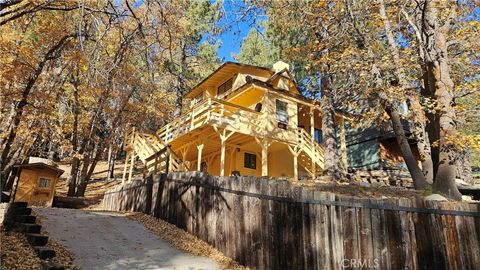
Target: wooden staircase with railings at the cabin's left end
[(153, 153)]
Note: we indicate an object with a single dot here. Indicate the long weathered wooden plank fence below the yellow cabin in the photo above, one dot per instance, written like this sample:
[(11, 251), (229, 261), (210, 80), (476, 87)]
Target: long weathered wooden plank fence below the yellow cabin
[(270, 224)]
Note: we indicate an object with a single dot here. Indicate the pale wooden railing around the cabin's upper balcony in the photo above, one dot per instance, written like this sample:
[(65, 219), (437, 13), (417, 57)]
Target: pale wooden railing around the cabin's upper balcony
[(215, 112)]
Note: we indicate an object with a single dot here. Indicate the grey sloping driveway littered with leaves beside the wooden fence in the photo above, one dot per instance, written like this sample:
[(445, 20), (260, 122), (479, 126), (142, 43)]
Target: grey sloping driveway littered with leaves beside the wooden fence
[(108, 240)]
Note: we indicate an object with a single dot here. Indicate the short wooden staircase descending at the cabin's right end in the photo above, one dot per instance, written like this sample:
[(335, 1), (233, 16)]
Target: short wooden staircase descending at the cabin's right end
[(311, 155)]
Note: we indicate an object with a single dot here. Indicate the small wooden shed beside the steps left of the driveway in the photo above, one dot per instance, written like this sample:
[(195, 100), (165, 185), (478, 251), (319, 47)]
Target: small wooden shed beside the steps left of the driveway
[(36, 183)]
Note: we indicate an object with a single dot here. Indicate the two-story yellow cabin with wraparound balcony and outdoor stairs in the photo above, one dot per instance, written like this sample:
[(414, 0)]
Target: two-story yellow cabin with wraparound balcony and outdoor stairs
[(241, 119)]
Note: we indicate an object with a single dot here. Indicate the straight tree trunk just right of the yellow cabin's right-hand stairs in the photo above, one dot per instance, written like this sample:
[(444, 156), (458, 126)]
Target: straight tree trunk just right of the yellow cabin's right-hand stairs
[(331, 167)]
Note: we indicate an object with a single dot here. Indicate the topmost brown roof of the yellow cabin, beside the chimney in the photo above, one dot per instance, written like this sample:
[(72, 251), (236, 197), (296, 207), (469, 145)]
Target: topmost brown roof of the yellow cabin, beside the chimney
[(219, 76)]
